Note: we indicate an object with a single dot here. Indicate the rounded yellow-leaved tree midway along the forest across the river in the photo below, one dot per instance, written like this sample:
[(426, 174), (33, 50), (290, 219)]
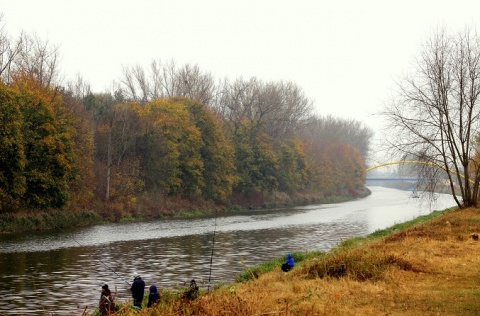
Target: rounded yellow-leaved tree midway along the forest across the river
[(170, 149)]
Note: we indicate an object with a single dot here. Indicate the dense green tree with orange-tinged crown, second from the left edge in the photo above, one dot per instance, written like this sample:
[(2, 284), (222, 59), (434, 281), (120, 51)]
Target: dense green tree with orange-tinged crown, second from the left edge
[(48, 145)]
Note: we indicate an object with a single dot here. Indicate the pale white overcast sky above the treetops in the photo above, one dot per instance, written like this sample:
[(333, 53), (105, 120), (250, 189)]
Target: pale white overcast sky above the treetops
[(345, 55)]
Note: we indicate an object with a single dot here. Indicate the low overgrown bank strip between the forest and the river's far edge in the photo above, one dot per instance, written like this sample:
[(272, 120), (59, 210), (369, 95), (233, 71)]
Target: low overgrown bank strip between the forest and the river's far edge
[(164, 208)]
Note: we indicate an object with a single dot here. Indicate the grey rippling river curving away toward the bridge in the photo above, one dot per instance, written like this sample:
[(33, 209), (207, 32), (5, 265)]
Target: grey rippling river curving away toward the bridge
[(61, 272)]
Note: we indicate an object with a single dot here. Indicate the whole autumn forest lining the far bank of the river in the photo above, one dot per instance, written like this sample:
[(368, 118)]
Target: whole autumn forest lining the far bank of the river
[(165, 137)]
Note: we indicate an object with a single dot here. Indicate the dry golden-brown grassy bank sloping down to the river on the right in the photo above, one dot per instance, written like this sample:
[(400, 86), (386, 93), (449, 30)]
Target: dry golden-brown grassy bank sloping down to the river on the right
[(428, 266)]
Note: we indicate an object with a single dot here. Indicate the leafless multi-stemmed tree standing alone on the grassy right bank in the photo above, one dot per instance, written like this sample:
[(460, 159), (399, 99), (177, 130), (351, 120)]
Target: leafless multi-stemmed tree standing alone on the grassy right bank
[(435, 114)]
